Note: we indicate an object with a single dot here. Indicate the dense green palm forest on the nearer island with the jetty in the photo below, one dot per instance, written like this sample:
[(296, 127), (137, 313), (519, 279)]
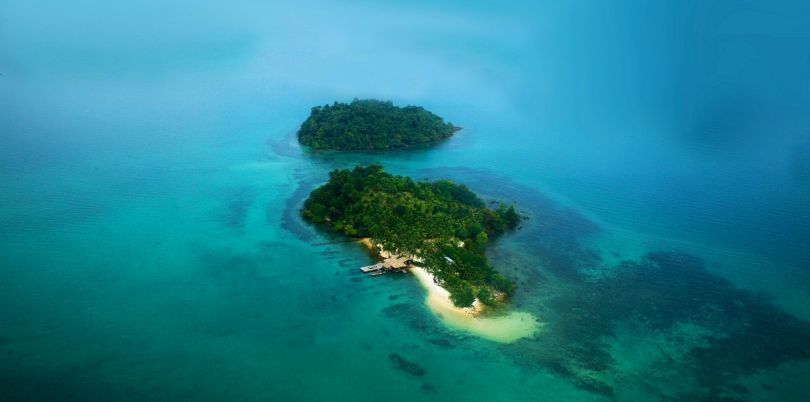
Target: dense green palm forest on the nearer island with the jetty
[(422, 218)]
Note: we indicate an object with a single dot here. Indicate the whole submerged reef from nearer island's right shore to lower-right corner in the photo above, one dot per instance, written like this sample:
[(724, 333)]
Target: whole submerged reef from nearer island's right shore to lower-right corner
[(699, 333)]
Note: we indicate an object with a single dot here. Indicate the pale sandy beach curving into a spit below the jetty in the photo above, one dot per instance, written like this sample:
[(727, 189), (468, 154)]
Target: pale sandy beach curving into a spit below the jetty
[(505, 328)]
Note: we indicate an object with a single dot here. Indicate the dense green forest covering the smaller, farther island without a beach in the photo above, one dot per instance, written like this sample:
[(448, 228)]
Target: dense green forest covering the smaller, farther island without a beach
[(371, 124)]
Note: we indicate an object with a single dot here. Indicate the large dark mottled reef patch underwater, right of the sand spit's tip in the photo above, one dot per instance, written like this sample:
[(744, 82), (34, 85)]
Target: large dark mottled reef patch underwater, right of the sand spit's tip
[(705, 331)]
